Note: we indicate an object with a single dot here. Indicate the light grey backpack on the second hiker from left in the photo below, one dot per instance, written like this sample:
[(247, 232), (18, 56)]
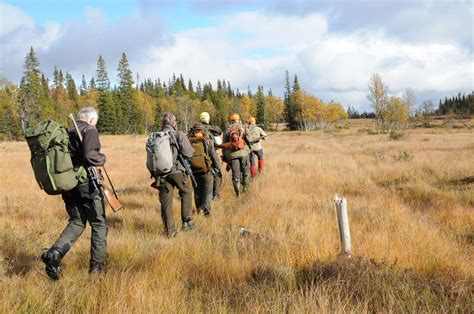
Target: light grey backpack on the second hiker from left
[(159, 155)]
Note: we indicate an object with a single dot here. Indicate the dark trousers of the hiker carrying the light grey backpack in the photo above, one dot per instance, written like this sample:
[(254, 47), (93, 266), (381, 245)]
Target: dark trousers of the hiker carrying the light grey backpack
[(167, 184)]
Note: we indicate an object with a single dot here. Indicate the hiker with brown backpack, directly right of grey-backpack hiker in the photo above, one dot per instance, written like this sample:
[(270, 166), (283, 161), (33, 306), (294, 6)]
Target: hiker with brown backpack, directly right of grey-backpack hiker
[(203, 161)]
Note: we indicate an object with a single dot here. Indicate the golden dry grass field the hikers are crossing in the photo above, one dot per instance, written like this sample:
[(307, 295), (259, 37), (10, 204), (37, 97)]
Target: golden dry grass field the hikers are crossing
[(411, 210)]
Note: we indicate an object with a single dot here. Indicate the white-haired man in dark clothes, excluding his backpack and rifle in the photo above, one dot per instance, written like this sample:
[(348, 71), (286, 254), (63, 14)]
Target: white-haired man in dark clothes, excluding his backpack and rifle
[(84, 203)]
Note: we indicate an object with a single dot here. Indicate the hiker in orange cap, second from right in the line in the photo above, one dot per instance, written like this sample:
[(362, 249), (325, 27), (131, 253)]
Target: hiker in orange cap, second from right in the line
[(236, 154)]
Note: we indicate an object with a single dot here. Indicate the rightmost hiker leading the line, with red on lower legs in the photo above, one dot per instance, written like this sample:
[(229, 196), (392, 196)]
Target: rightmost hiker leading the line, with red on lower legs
[(254, 135)]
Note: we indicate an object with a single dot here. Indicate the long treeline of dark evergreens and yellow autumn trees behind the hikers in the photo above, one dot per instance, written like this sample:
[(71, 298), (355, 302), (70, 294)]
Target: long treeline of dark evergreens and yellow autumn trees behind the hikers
[(137, 106)]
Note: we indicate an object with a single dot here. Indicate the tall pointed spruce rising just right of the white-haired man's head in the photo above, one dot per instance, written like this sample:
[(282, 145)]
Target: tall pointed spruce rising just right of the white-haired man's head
[(108, 114)]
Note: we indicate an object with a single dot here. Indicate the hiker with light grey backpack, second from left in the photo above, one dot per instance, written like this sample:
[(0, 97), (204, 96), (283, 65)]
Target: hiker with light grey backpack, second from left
[(174, 147)]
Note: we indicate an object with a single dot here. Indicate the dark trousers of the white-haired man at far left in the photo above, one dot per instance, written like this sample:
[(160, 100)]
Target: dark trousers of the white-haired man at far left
[(81, 211)]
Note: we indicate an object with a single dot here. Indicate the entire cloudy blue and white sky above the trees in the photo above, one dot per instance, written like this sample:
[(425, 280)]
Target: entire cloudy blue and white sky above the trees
[(333, 46)]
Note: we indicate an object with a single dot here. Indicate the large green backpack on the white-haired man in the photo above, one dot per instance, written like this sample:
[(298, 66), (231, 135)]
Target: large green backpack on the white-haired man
[(50, 158)]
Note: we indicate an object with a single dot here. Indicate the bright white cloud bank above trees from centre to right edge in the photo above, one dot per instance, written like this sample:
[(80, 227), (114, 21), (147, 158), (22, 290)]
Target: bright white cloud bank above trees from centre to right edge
[(332, 66)]
